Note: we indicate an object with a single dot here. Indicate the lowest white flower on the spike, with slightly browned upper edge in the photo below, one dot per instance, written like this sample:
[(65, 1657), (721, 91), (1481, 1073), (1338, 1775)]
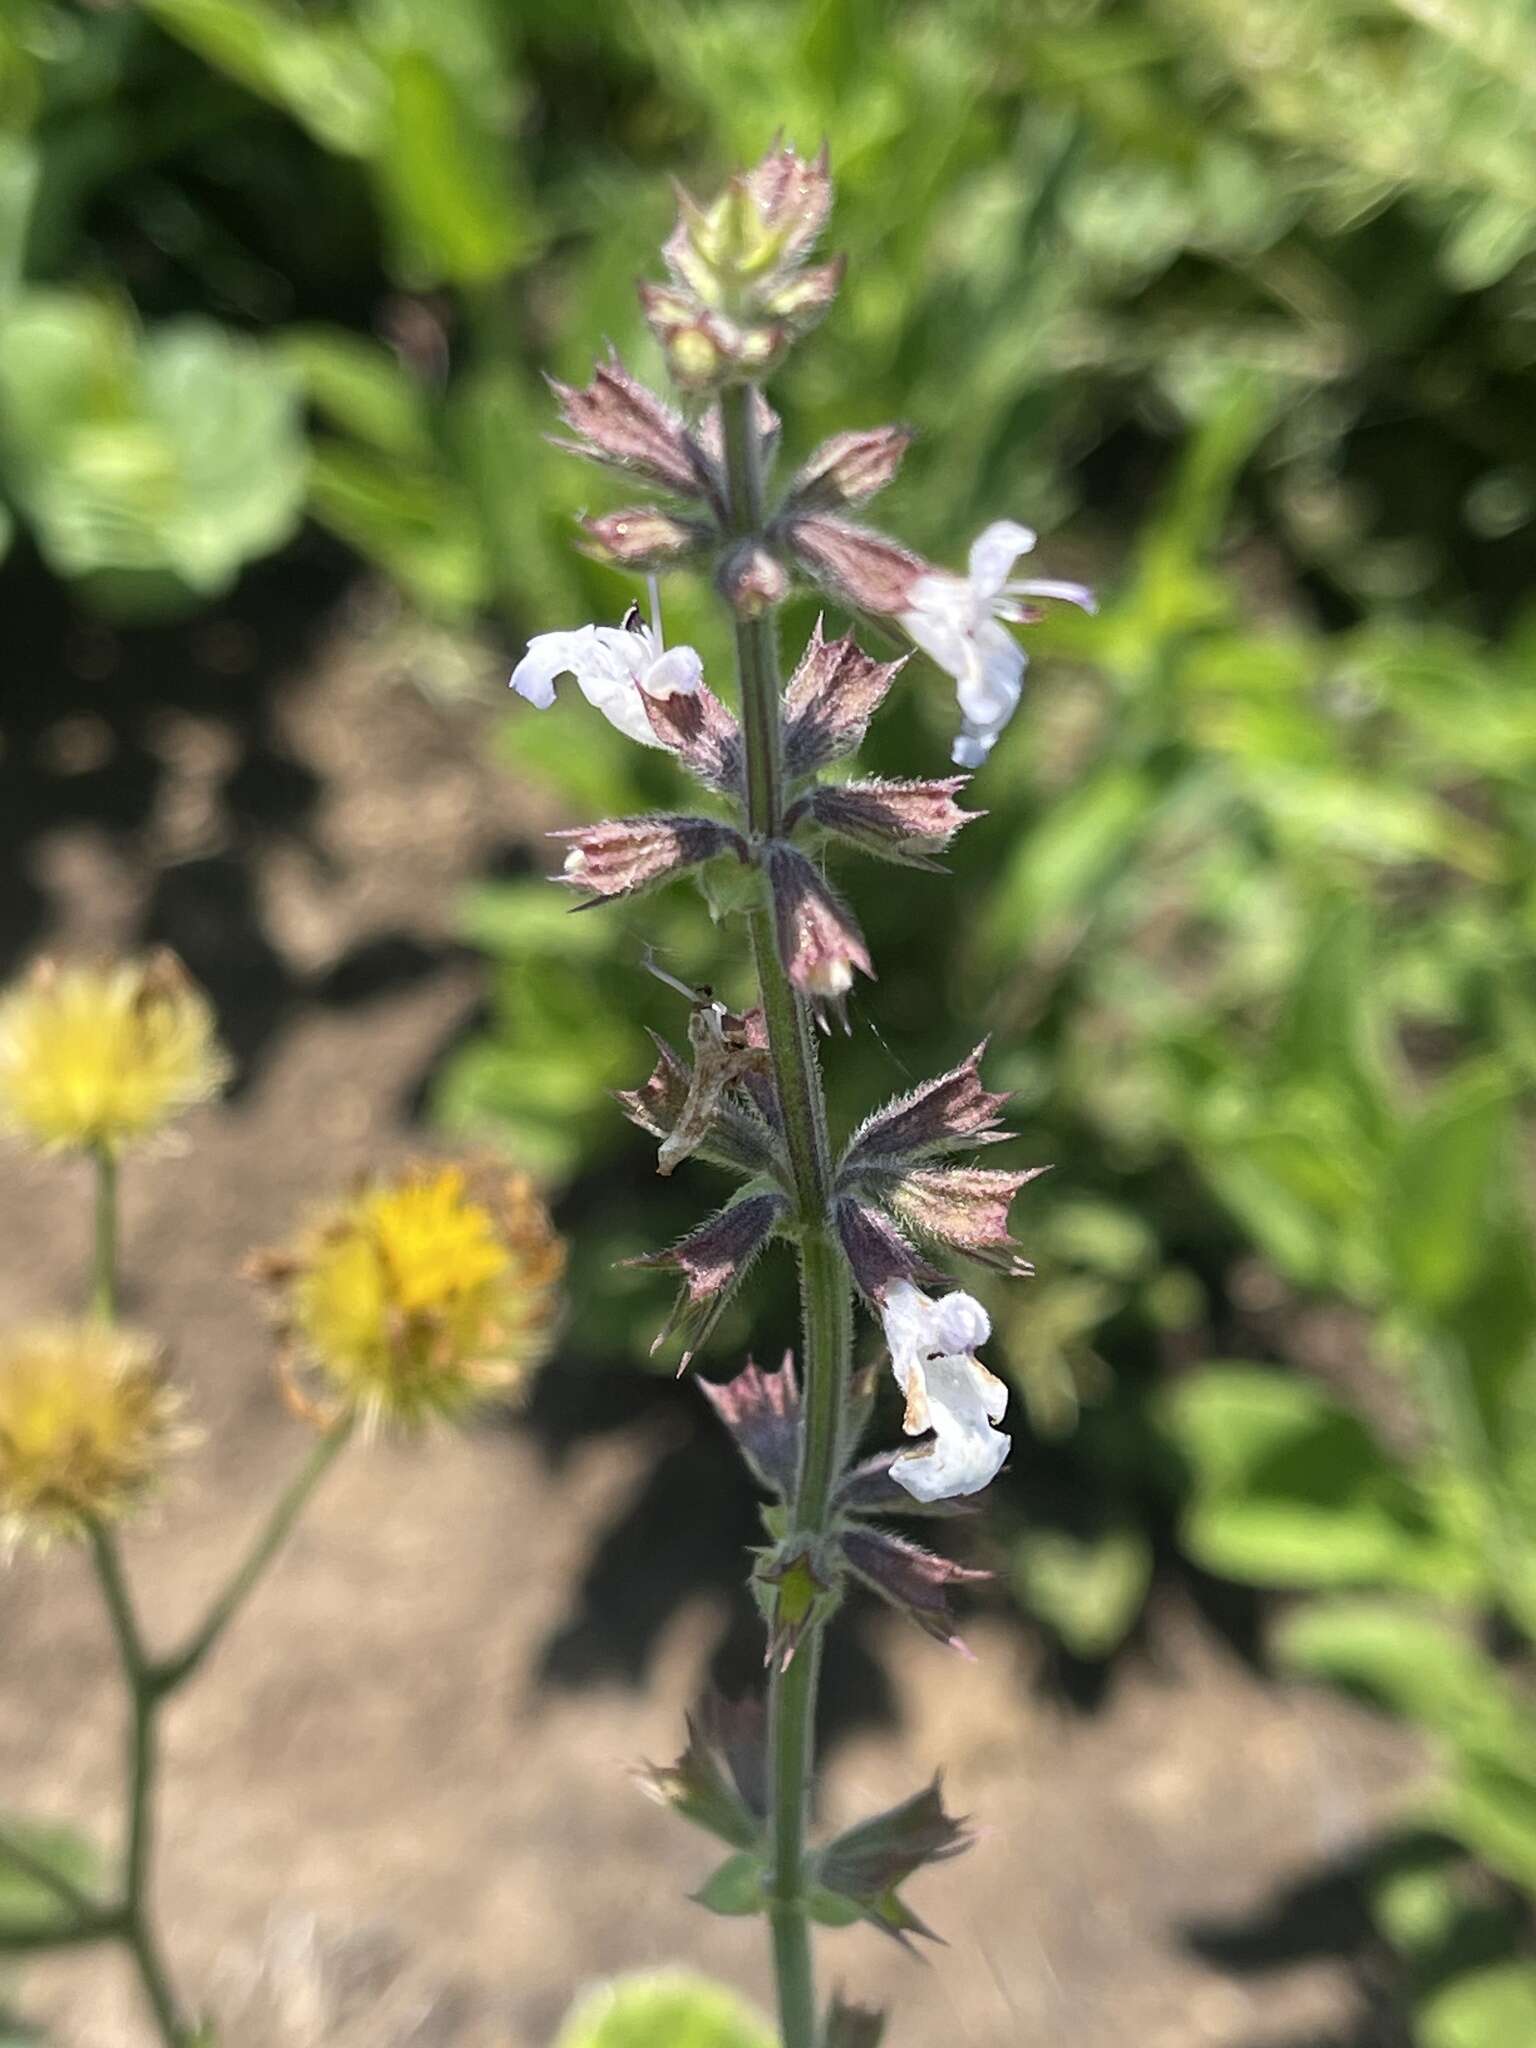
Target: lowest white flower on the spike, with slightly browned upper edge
[(949, 1392)]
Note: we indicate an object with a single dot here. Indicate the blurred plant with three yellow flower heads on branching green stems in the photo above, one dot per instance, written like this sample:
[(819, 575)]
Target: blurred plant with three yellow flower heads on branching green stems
[(404, 1302)]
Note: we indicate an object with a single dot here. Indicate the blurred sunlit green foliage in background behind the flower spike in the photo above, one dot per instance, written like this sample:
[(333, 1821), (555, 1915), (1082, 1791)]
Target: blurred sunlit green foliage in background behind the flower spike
[(1238, 302)]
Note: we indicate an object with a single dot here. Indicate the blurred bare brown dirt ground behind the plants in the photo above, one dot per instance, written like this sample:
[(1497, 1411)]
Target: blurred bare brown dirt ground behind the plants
[(380, 1826)]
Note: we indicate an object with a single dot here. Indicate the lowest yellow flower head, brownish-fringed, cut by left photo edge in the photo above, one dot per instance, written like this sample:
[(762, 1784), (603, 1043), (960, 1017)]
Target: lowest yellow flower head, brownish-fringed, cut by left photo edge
[(87, 1424)]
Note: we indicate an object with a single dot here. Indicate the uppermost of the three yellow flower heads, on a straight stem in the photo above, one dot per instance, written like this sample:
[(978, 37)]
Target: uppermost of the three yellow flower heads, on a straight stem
[(95, 1058)]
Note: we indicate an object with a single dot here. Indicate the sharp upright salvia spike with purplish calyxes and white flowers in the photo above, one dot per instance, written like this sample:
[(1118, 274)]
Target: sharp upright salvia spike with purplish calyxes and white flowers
[(742, 290)]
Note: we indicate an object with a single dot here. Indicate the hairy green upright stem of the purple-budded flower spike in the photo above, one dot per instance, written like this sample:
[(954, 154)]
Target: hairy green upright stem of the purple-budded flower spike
[(824, 1273)]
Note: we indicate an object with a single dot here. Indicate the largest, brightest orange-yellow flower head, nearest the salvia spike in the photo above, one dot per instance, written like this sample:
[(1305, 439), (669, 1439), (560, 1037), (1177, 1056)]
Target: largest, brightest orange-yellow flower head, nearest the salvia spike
[(419, 1295)]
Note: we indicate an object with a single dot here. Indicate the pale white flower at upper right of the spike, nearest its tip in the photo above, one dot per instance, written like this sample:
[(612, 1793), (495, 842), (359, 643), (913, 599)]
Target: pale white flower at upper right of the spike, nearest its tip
[(959, 622)]
